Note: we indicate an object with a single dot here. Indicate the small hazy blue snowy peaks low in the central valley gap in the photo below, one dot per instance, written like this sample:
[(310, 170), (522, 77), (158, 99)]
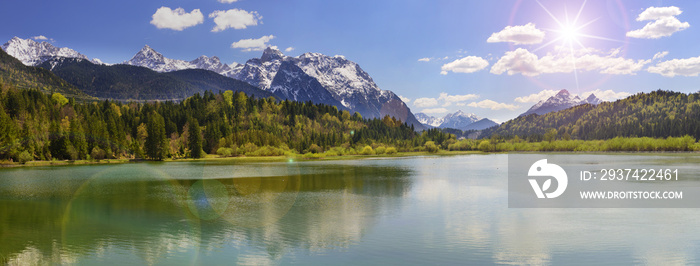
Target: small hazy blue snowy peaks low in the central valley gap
[(458, 120)]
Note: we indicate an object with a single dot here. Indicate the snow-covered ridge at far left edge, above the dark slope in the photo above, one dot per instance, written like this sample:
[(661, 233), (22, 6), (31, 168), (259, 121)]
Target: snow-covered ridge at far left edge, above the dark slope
[(33, 53)]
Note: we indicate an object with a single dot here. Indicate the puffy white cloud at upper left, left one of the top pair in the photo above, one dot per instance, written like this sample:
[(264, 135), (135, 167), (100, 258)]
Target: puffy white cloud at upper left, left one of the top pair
[(178, 19)]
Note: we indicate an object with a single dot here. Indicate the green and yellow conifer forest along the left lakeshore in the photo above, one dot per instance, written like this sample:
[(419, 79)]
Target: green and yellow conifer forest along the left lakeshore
[(38, 126)]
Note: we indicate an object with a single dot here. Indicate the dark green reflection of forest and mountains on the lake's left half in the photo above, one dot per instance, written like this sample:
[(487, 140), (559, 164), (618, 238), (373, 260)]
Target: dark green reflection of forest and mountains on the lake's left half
[(156, 219)]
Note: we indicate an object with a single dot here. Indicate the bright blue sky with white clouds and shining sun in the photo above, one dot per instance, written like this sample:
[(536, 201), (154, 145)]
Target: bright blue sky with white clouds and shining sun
[(470, 60)]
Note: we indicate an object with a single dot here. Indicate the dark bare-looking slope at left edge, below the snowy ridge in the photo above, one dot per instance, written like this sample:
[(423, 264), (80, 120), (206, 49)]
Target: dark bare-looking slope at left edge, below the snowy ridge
[(12, 71)]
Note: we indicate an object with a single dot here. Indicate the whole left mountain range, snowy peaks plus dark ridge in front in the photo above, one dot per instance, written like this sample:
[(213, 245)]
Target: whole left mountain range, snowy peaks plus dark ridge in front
[(308, 77)]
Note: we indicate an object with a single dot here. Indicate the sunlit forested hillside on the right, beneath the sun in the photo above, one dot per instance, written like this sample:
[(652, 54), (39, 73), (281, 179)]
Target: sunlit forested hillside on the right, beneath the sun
[(658, 114)]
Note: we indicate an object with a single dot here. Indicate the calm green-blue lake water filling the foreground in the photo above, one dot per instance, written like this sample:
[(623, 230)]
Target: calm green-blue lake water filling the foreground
[(419, 210)]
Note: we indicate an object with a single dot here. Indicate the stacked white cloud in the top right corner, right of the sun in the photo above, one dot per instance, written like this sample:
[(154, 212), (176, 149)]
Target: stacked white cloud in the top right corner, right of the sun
[(663, 23)]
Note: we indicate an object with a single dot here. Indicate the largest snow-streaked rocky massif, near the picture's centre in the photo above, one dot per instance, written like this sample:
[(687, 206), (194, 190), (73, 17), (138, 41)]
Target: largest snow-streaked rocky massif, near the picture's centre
[(343, 80)]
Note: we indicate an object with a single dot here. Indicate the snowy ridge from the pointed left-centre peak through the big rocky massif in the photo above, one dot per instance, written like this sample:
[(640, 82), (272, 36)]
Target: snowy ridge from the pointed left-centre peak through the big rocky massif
[(342, 82)]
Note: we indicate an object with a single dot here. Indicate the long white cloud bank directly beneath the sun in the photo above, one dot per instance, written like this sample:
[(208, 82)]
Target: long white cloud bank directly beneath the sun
[(522, 61)]
